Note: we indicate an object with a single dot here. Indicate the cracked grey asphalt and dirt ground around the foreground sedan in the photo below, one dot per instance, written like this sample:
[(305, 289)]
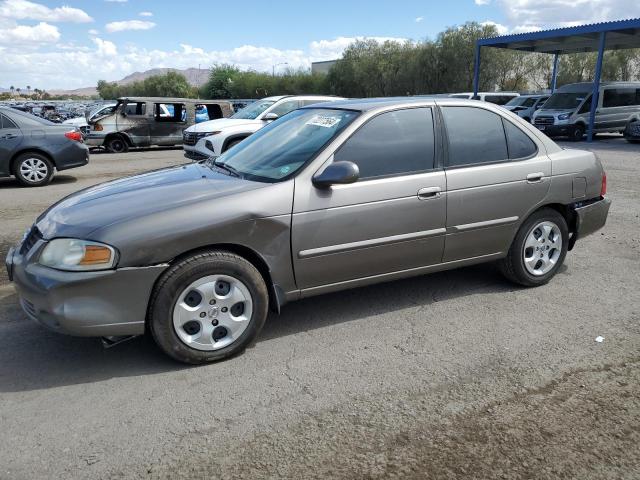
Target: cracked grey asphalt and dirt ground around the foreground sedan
[(453, 375)]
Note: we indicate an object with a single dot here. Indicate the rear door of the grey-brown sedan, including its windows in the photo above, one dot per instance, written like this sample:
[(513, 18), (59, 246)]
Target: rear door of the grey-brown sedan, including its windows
[(496, 173)]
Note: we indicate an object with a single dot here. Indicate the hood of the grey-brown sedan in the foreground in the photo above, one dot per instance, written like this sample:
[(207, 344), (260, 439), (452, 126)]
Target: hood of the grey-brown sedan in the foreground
[(127, 199)]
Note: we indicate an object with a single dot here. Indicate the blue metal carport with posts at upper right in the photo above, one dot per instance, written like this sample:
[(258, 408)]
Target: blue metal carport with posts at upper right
[(597, 37)]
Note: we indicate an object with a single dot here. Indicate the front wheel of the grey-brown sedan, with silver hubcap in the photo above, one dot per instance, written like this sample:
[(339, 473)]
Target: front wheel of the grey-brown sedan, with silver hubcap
[(191, 315)]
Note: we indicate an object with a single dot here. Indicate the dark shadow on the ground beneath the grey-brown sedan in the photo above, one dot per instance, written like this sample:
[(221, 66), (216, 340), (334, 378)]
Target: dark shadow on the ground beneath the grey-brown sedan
[(32, 358)]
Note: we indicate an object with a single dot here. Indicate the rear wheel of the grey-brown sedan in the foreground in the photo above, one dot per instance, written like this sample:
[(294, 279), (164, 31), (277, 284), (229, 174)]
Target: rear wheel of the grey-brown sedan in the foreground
[(515, 266)]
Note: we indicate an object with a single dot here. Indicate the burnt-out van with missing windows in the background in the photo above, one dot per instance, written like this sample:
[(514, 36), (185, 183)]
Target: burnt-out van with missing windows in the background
[(146, 121)]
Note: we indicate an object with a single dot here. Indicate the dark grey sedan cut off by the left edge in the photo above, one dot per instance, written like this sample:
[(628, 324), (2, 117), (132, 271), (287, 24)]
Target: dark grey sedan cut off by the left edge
[(31, 148)]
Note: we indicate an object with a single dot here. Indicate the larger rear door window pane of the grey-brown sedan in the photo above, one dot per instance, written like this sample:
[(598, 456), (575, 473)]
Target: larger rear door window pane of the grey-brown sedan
[(475, 136)]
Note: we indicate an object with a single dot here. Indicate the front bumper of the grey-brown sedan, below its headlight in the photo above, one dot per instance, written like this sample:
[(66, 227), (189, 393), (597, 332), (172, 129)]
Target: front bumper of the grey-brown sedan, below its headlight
[(89, 304)]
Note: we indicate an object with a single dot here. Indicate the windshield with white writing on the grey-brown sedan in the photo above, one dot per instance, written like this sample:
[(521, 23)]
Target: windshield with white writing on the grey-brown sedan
[(280, 149)]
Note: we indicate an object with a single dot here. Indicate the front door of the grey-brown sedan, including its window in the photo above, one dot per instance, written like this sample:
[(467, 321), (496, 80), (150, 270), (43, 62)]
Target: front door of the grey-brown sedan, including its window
[(392, 219)]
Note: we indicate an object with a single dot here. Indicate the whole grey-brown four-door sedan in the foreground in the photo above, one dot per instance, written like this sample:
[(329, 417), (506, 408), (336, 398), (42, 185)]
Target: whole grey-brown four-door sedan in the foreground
[(326, 198)]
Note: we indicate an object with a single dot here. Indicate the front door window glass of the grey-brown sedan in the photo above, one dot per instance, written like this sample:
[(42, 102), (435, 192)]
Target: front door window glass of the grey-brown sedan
[(393, 143)]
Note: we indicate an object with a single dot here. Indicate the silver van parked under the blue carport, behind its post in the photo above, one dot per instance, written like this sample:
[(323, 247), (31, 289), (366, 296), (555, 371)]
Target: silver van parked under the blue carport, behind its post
[(567, 111)]
